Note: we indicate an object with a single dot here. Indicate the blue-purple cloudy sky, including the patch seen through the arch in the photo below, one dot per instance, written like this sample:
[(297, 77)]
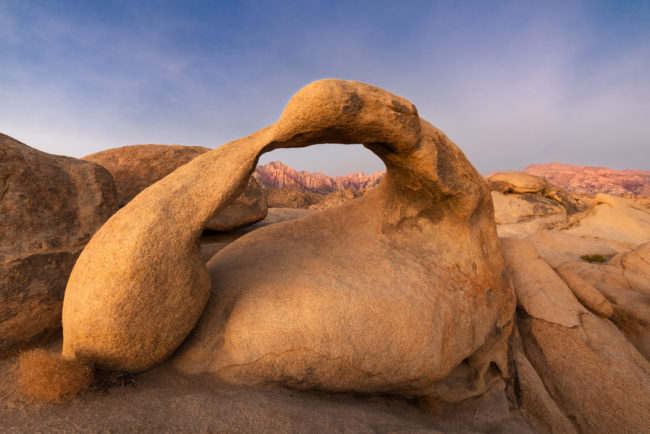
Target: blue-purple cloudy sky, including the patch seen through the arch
[(512, 83)]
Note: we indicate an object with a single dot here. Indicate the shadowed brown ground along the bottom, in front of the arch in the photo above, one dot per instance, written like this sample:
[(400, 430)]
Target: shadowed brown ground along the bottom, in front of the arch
[(161, 400)]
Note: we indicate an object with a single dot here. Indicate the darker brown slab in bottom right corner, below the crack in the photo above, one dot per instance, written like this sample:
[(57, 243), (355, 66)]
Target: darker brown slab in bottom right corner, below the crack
[(594, 374)]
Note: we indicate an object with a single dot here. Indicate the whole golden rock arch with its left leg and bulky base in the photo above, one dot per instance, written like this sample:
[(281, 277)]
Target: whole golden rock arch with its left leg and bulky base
[(405, 286)]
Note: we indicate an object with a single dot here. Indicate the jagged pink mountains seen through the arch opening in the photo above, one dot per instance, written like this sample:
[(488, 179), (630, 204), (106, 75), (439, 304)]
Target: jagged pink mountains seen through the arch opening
[(278, 175)]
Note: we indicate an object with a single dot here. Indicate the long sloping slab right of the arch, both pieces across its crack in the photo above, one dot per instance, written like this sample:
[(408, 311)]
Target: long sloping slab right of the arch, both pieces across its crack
[(593, 374)]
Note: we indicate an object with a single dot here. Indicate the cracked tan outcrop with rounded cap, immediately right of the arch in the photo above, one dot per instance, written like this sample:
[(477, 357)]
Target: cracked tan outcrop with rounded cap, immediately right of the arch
[(524, 204)]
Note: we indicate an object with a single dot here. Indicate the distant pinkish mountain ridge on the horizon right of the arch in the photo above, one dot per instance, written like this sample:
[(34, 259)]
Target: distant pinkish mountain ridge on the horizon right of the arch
[(592, 180)]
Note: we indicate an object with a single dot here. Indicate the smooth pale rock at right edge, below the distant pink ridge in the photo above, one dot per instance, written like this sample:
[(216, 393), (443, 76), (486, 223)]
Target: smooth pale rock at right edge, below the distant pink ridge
[(613, 218)]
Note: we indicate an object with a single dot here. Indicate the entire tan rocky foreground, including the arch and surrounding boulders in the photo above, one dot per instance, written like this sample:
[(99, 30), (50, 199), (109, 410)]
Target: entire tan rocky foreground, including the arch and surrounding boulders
[(436, 301)]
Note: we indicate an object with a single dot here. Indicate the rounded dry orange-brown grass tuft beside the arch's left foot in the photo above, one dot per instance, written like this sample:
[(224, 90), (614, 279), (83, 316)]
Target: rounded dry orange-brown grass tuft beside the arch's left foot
[(47, 377)]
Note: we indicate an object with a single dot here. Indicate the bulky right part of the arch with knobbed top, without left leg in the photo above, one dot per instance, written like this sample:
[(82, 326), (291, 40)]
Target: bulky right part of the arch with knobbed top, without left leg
[(311, 329)]
